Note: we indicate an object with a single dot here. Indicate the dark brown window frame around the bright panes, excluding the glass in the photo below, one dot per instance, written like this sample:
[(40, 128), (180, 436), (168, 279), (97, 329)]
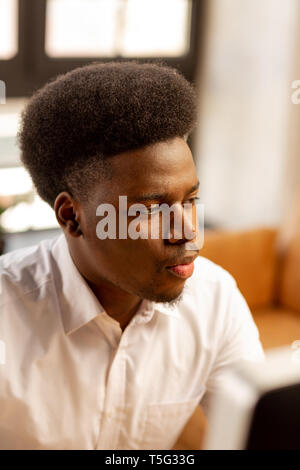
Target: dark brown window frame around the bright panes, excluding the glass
[(31, 67)]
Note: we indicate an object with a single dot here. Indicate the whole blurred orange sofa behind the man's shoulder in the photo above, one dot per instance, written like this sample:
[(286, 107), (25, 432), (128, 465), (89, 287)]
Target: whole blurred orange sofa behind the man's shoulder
[(268, 275)]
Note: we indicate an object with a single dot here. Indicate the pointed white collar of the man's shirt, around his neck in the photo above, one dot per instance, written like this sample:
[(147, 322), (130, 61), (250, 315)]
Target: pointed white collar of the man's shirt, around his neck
[(79, 303)]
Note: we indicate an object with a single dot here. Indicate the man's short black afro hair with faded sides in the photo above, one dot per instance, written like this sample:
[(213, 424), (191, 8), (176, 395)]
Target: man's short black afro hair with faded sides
[(72, 125)]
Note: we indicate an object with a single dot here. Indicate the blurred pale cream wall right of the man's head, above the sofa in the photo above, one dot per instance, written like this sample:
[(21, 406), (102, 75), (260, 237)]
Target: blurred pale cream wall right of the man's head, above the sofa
[(247, 142)]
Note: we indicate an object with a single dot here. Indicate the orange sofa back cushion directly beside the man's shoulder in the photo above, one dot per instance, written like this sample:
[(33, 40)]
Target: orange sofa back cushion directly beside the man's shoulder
[(250, 257)]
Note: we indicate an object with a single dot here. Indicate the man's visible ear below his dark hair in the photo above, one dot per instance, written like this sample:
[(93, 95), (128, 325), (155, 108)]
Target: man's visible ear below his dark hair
[(67, 214)]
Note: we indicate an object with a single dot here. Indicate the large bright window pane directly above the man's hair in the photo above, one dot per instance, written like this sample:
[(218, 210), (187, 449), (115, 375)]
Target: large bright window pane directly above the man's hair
[(125, 28)]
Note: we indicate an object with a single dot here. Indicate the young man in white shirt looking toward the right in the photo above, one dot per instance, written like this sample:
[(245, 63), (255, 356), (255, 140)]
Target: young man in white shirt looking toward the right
[(112, 342)]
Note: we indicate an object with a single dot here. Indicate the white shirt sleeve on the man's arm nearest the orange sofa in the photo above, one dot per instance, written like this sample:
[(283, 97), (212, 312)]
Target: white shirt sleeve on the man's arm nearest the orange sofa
[(240, 341)]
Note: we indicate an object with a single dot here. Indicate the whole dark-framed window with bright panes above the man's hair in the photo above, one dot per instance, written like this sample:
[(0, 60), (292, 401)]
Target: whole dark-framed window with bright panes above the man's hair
[(40, 39)]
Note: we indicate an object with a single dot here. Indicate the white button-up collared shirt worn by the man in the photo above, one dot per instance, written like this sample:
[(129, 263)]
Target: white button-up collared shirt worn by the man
[(72, 380)]
